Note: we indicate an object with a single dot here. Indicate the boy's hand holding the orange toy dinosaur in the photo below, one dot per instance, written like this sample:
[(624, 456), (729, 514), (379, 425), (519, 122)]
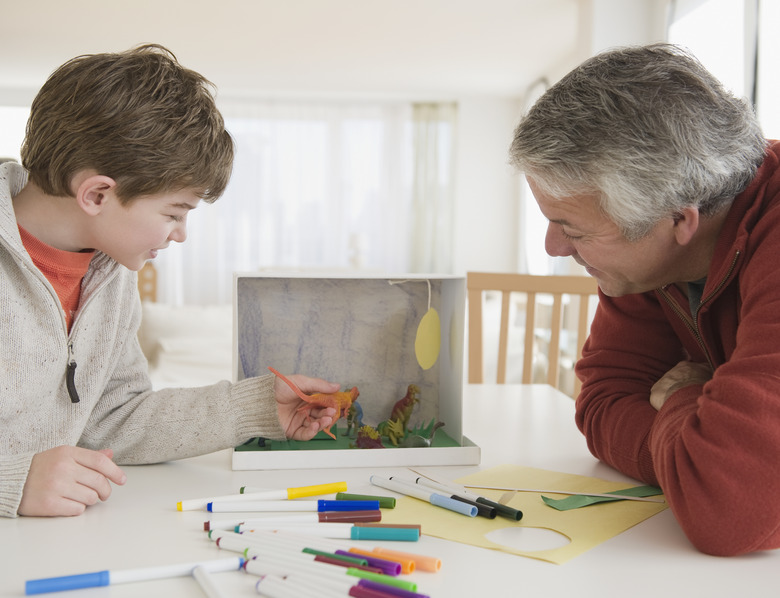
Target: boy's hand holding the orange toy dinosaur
[(303, 425)]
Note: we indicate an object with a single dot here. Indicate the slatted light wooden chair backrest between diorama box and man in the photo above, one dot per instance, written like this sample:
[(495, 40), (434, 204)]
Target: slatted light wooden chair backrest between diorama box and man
[(532, 286)]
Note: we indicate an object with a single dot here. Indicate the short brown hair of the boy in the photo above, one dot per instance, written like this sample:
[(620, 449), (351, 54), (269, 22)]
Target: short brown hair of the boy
[(138, 117)]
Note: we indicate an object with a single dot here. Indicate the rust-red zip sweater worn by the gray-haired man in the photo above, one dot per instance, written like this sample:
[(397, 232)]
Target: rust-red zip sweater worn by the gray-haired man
[(714, 449)]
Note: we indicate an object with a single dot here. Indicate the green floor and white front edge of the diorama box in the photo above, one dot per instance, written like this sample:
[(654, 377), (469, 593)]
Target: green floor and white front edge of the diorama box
[(324, 451)]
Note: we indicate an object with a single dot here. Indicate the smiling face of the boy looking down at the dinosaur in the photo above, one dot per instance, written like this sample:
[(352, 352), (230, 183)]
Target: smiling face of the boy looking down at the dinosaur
[(134, 233)]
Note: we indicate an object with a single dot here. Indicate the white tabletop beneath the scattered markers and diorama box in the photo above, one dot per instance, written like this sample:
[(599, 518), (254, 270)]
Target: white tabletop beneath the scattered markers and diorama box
[(527, 425)]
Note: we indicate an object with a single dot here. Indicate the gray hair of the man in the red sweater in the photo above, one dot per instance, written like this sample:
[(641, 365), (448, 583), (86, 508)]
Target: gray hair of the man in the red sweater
[(648, 129)]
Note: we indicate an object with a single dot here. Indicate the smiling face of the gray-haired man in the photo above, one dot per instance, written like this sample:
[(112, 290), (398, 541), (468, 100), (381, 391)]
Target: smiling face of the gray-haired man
[(578, 228)]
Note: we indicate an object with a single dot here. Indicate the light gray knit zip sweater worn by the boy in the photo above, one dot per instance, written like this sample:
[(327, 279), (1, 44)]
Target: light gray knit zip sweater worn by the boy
[(117, 408)]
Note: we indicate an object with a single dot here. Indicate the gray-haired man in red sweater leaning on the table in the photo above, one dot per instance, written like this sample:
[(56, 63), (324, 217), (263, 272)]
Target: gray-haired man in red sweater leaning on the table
[(660, 183)]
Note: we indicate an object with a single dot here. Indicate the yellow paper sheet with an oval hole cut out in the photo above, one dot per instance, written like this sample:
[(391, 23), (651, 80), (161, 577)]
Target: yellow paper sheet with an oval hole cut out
[(585, 528)]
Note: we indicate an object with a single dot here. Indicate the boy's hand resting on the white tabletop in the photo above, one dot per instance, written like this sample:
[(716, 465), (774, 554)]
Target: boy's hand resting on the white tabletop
[(65, 480)]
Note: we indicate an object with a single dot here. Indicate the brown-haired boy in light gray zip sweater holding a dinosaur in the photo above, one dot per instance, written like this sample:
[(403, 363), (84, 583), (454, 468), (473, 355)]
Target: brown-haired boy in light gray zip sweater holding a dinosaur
[(119, 148)]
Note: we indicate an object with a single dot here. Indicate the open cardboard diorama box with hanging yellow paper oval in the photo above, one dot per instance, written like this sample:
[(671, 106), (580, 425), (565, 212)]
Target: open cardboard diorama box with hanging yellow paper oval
[(399, 341)]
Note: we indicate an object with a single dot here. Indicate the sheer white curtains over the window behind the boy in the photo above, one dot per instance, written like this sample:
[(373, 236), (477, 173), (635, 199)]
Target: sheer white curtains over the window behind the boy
[(321, 186)]
